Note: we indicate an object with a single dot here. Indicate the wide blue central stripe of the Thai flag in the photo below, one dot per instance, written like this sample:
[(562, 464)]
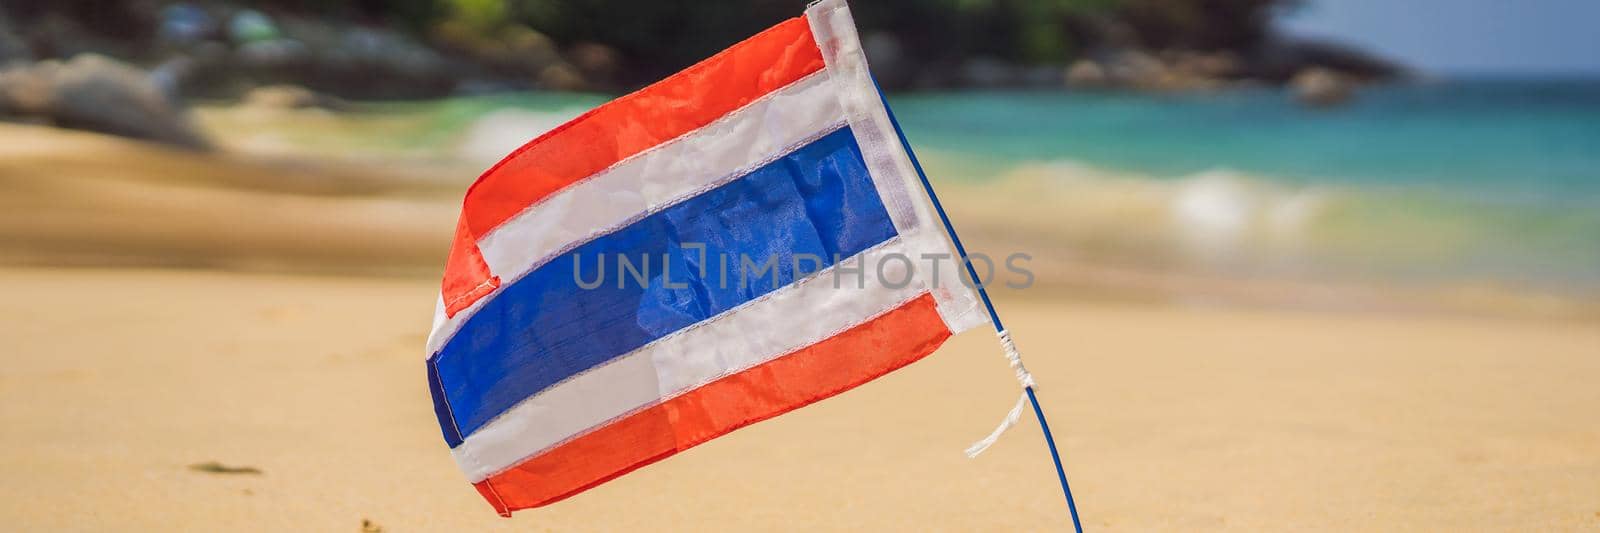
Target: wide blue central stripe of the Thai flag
[(543, 329)]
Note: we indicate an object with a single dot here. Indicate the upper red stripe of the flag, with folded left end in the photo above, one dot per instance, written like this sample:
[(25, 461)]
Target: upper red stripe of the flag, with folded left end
[(617, 130)]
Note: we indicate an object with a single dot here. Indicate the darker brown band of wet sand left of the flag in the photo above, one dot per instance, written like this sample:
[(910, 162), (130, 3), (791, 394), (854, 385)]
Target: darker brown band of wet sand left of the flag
[(70, 198)]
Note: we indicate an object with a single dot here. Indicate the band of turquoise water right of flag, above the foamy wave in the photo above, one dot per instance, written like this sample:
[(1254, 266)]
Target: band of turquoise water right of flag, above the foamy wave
[(1538, 140)]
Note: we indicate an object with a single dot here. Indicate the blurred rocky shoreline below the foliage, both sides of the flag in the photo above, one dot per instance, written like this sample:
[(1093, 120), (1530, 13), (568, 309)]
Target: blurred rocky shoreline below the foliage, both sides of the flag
[(70, 70)]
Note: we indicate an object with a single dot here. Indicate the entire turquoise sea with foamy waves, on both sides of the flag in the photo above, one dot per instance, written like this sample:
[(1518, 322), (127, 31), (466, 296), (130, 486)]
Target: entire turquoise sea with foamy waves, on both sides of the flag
[(1487, 182)]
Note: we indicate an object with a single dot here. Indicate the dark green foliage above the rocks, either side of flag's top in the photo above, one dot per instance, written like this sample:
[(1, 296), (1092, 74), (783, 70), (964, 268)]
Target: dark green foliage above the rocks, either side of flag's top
[(663, 36)]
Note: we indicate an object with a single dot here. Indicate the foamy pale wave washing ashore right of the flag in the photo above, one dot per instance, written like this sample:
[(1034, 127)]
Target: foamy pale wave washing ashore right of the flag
[(1249, 225)]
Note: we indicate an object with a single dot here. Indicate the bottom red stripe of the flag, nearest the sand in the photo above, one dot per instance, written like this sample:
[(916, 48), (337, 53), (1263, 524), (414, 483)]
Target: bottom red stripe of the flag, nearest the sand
[(778, 387)]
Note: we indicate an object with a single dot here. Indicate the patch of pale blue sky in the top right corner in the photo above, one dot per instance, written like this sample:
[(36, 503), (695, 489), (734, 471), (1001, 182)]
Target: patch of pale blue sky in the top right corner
[(1527, 38)]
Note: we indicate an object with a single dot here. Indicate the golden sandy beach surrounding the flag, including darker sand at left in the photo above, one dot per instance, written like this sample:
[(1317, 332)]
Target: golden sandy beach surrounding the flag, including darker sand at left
[(247, 355)]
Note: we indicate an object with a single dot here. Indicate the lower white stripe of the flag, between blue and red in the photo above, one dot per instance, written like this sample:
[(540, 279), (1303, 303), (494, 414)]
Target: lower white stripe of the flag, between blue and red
[(810, 311)]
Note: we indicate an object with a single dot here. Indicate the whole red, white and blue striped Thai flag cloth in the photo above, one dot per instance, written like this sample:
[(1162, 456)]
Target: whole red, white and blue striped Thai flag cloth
[(598, 311)]
